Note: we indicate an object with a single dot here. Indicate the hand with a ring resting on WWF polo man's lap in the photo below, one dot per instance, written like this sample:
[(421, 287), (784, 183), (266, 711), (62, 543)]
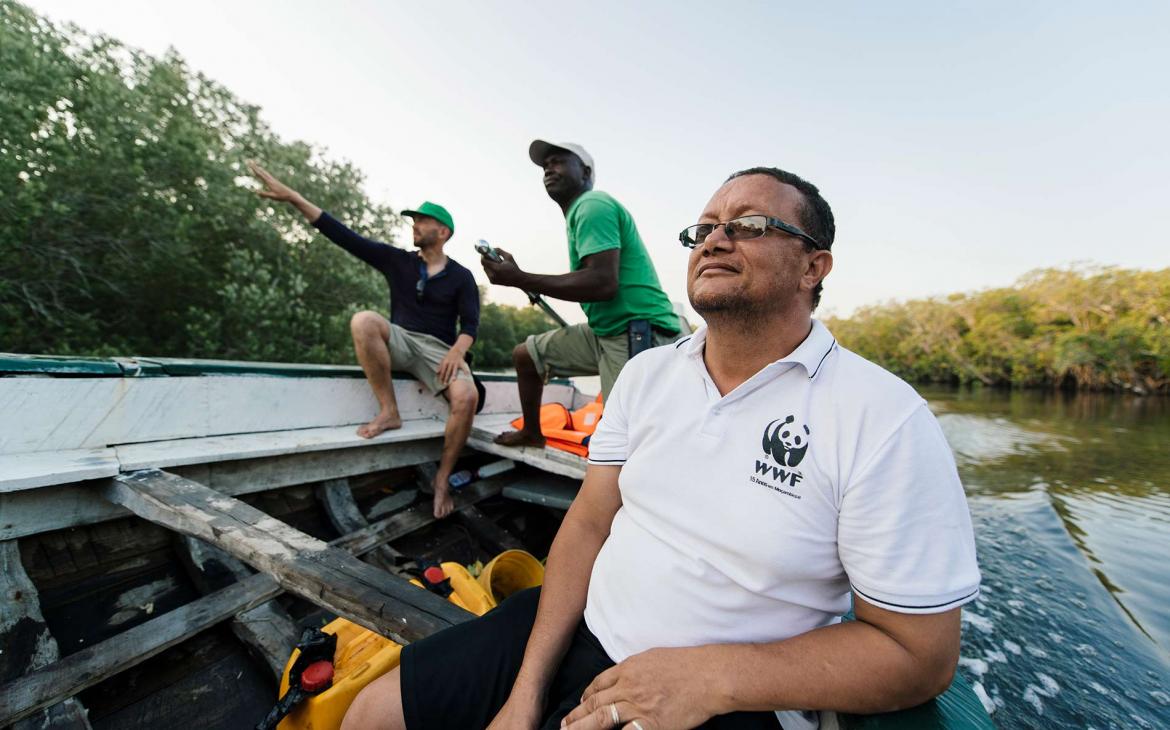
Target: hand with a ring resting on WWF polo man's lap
[(663, 690)]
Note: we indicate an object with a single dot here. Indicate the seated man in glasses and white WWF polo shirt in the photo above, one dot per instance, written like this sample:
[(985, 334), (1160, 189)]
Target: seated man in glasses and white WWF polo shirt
[(746, 487)]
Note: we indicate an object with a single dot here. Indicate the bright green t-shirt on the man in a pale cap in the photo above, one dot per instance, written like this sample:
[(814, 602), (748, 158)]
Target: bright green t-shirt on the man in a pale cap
[(597, 223)]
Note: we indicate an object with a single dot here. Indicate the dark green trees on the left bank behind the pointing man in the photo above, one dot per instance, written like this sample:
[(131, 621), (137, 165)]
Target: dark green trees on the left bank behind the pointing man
[(128, 224)]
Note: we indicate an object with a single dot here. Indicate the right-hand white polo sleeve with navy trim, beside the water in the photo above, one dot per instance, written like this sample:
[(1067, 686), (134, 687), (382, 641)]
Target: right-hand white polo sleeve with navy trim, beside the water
[(905, 533)]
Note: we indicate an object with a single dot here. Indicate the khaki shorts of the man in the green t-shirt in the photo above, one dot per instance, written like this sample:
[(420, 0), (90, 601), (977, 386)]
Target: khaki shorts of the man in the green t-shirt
[(575, 350)]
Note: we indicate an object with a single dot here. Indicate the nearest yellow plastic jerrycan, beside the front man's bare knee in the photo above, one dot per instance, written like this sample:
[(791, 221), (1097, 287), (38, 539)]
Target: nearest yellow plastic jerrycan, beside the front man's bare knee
[(362, 658)]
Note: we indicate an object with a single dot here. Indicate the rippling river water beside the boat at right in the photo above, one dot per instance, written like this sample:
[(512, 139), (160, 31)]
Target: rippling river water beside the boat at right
[(1071, 501)]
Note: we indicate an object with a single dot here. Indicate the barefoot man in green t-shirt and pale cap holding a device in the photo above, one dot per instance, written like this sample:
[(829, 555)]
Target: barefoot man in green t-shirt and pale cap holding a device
[(611, 276)]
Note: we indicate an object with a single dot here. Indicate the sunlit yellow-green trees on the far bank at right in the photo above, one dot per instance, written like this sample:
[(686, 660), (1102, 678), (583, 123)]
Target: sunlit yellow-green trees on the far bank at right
[(1089, 328)]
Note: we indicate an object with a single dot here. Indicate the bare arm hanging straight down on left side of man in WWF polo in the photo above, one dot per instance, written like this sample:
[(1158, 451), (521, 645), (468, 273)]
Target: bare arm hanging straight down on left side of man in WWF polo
[(579, 542)]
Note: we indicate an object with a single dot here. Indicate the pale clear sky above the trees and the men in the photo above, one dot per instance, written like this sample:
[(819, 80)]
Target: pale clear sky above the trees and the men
[(960, 144)]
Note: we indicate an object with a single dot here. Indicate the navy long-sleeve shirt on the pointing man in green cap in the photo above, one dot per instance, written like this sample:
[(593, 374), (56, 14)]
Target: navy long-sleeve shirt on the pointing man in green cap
[(448, 297)]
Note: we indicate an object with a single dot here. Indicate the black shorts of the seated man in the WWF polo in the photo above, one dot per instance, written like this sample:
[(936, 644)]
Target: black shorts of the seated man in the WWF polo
[(460, 678)]
